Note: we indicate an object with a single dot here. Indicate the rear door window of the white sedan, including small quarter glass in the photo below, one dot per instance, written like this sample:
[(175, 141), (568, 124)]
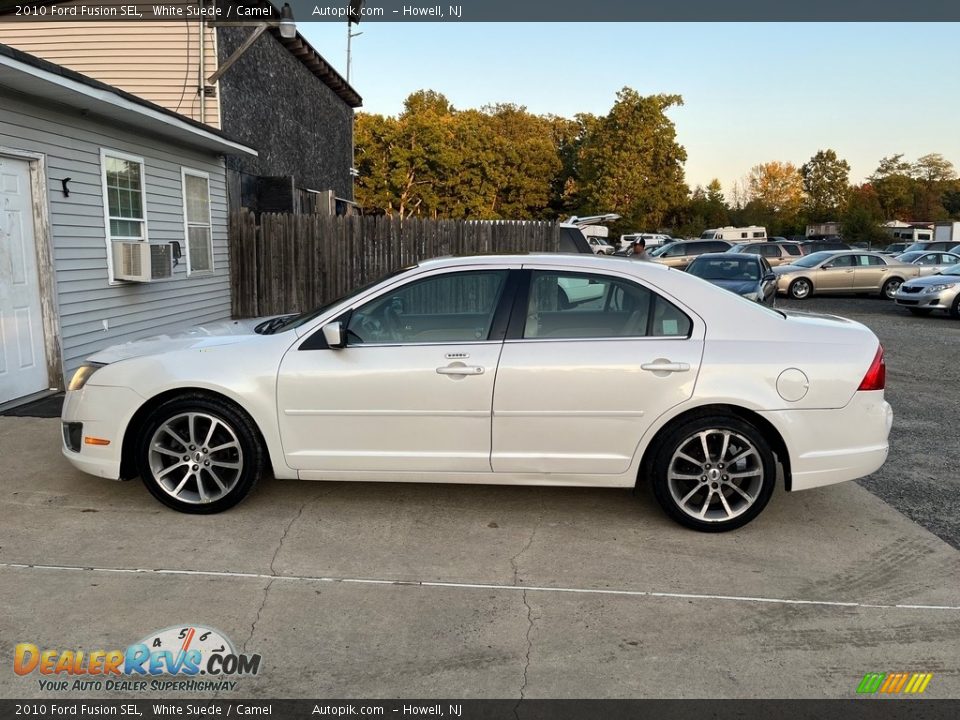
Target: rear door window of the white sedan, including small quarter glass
[(577, 306)]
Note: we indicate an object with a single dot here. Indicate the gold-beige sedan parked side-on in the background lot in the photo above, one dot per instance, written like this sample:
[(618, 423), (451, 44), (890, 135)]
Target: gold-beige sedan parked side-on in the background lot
[(849, 272)]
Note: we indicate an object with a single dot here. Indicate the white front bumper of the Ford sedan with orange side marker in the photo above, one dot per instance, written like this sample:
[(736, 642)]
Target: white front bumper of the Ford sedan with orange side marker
[(102, 414)]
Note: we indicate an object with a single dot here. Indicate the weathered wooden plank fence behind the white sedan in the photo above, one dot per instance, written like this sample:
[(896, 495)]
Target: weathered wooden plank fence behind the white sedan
[(291, 263)]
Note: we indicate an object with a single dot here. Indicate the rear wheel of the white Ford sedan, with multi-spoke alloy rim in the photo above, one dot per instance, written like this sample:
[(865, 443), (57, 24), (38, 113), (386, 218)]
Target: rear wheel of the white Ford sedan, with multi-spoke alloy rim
[(719, 503)]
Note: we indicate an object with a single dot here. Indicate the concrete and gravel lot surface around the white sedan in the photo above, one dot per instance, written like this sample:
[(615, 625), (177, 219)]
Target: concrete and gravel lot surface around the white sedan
[(386, 590)]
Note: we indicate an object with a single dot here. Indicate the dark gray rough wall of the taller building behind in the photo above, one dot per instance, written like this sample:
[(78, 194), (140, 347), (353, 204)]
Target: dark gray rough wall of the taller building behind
[(310, 140)]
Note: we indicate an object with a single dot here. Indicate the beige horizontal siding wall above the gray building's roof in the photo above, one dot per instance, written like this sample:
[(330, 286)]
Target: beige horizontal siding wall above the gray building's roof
[(158, 61)]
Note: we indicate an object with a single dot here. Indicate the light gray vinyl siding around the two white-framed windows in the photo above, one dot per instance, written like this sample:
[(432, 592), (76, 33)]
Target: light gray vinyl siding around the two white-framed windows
[(72, 144)]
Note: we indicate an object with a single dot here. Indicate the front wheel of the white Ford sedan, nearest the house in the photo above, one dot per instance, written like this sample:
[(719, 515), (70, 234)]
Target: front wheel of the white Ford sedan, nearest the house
[(199, 455)]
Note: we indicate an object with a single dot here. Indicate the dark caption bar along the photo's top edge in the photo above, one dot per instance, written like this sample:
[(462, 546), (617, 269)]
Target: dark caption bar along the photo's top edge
[(540, 11)]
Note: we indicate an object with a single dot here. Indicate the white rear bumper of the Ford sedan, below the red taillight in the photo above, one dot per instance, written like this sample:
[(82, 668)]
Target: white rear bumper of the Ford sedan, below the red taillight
[(832, 446)]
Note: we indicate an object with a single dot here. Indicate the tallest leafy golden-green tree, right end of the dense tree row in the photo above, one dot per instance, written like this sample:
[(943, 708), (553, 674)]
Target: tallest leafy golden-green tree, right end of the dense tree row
[(630, 162)]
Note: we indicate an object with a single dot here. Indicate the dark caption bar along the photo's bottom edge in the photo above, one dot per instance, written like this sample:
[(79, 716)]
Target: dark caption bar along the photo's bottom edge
[(873, 708)]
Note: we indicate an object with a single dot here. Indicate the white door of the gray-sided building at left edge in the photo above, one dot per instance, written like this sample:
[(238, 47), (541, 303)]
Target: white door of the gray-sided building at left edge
[(23, 364)]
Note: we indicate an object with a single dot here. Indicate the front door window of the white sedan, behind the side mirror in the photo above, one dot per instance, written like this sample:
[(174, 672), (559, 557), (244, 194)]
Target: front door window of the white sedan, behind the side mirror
[(455, 307)]
